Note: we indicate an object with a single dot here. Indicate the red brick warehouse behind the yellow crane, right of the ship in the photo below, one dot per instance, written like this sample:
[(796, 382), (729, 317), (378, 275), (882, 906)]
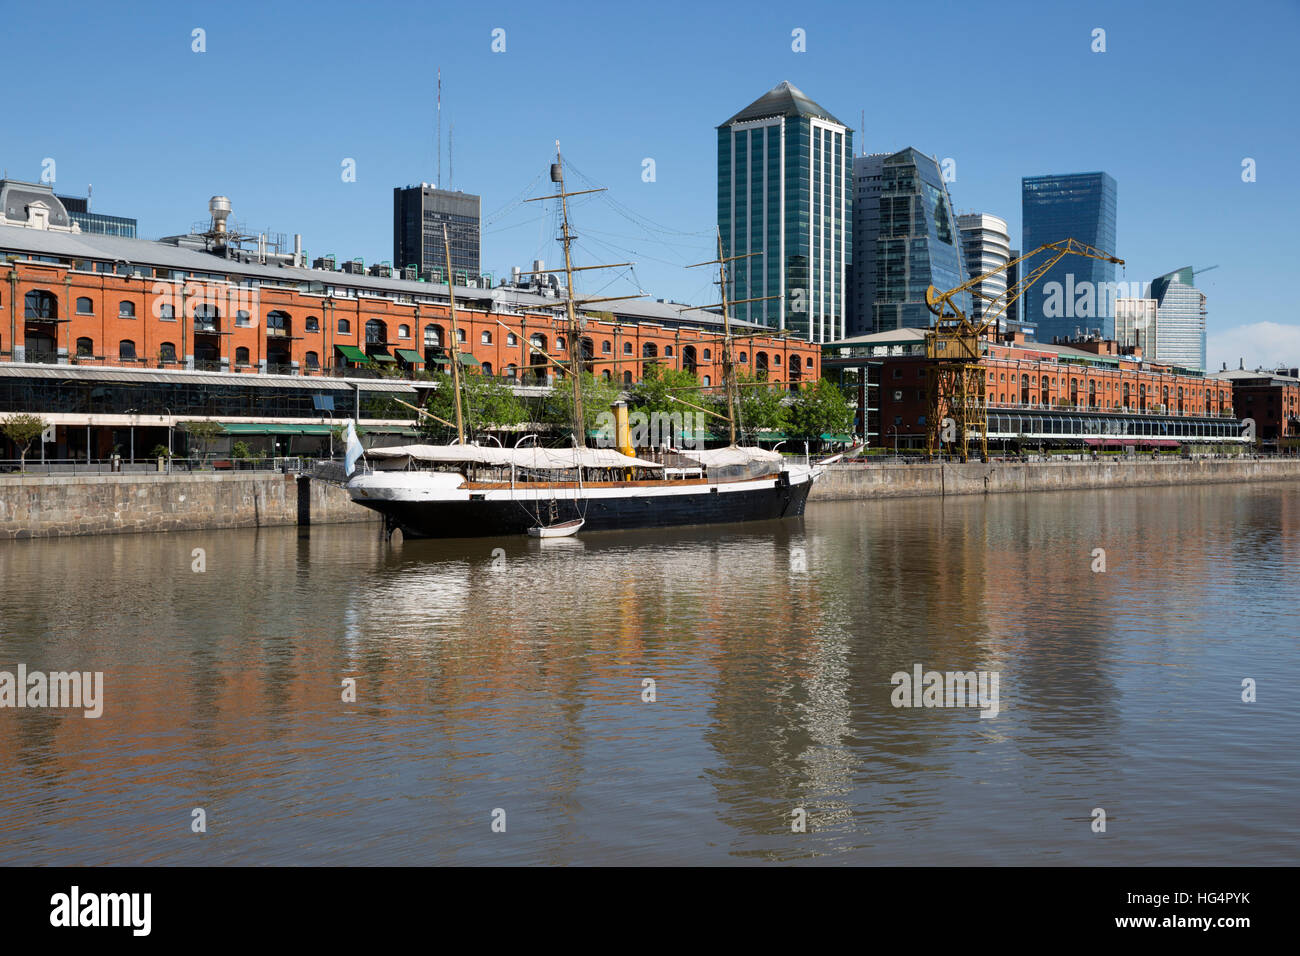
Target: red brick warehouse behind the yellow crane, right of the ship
[(1085, 393)]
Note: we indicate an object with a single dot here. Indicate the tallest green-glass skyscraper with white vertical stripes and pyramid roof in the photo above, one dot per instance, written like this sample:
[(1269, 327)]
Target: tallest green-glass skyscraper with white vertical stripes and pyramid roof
[(785, 189)]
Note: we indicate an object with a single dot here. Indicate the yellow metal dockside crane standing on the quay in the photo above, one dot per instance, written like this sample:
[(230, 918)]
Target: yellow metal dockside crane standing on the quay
[(957, 386)]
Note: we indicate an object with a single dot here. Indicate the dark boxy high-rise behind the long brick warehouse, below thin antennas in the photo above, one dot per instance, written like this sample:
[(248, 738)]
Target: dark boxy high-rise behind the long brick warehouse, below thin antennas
[(419, 214)]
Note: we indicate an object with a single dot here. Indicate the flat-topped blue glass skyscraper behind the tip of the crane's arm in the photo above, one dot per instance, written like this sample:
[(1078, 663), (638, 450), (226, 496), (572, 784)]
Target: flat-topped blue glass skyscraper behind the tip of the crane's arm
[(1077, 295)]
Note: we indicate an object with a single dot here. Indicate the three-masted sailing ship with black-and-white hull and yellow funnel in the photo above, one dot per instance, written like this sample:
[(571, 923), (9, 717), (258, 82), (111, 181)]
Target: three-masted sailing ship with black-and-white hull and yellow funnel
[(471, 491)]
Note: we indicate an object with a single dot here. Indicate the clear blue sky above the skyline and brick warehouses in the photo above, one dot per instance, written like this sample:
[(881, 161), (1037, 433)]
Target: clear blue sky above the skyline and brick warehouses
[(287, 92)]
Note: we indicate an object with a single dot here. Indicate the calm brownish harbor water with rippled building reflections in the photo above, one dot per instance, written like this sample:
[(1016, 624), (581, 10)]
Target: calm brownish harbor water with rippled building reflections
[(508, 674)]
